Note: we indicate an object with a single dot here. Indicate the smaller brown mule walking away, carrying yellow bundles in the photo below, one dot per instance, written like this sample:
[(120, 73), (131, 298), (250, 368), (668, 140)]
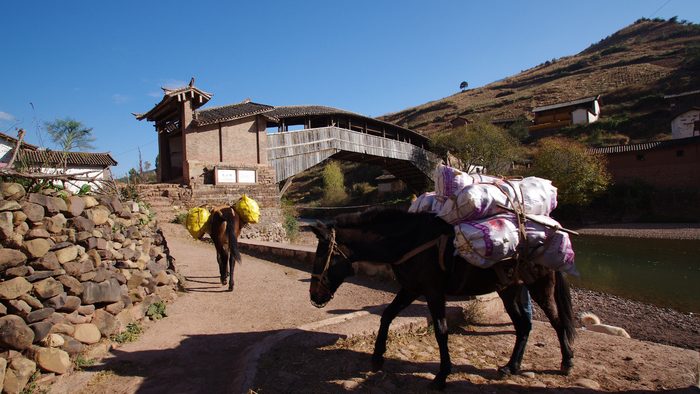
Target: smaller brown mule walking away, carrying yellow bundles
[(225, 229)]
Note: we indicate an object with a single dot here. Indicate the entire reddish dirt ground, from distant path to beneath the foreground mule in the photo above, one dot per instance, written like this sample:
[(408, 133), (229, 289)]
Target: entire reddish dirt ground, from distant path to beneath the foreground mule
[(212, 338)]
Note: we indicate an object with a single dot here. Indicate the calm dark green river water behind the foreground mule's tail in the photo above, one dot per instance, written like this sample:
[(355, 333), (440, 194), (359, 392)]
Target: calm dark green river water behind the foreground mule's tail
[(662, 272)]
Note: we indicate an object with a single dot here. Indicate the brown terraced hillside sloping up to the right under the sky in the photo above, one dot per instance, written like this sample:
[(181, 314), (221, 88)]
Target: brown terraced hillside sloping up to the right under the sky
[(631, 70)]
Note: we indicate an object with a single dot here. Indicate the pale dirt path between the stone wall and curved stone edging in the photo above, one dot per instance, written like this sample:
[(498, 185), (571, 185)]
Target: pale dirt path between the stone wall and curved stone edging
[(203, 345)]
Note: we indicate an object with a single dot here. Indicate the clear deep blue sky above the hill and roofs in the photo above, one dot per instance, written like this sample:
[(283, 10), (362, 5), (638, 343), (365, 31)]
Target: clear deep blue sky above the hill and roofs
[(100, 61)]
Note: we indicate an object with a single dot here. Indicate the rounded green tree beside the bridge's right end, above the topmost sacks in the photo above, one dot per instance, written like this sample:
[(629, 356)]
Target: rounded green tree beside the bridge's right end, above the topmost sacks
[(480, 145)]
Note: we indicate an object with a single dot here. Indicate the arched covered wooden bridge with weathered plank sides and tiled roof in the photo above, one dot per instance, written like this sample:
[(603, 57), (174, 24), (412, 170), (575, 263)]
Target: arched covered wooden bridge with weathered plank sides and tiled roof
[(332, 133)]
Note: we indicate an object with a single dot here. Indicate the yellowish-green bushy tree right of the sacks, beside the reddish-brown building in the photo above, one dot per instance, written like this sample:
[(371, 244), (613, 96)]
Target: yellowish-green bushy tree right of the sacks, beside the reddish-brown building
[(578, 175)]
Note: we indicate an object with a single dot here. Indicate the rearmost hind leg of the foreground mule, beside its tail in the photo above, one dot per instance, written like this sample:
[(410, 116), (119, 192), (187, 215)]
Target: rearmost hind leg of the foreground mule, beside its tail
[(552, 294)]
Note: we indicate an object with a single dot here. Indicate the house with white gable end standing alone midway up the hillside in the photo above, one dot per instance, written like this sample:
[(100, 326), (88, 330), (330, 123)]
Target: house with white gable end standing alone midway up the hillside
[(585, 110)]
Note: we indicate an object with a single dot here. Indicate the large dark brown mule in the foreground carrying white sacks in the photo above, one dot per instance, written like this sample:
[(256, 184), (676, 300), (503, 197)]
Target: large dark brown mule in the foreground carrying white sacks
[(414, 244)]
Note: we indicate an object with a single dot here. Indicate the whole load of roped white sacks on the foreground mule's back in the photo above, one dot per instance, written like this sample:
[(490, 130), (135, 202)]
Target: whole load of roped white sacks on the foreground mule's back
[(496, 219)]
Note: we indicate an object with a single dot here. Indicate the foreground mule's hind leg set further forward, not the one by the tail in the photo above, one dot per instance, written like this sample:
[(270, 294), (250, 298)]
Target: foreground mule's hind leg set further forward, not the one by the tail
[(522, 324)]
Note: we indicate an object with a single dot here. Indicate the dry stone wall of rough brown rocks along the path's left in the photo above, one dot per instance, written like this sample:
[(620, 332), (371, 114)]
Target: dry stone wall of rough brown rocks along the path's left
[(73, 269)]
